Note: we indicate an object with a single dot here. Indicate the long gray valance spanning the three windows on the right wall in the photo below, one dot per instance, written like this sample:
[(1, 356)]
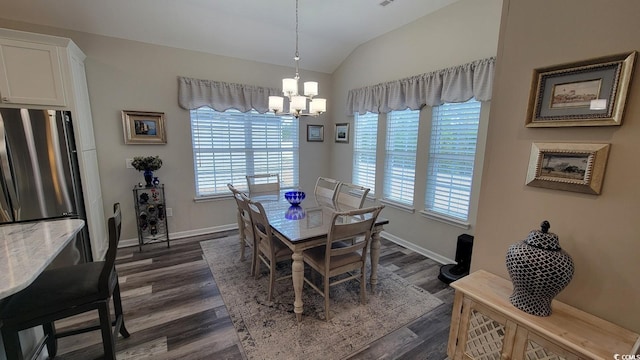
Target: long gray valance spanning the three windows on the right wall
[(455, 84)]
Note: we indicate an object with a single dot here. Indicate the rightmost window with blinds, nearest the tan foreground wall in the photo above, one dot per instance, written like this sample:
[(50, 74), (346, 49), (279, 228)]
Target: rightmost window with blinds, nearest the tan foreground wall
[(454, 135)]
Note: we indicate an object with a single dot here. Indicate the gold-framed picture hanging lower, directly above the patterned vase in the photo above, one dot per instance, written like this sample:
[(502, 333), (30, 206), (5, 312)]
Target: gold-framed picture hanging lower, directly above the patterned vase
[(568, 166)]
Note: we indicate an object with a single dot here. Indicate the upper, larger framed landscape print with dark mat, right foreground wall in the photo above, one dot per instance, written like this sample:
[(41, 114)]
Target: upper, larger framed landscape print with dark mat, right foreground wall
[(587, 93)]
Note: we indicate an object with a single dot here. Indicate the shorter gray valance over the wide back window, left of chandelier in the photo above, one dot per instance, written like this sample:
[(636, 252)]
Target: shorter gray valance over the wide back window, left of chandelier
[(221, 96)]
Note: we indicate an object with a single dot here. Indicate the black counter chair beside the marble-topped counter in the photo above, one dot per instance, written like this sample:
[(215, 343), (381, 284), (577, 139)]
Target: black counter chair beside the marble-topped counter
[(64, 292)]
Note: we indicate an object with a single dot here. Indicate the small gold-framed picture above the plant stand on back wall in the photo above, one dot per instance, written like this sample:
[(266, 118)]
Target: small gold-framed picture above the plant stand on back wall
[(143, 127)]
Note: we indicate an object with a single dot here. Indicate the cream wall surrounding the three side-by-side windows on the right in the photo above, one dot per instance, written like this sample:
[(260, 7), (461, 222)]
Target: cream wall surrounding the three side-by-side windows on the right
[(455, 35)]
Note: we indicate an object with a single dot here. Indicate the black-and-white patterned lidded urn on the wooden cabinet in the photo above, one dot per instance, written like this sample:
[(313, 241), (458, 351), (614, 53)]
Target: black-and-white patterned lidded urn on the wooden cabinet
[(539, 270)]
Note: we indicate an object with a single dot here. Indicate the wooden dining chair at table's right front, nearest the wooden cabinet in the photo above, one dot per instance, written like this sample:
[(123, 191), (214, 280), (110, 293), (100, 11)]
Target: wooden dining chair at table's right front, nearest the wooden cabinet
[(338, 257)]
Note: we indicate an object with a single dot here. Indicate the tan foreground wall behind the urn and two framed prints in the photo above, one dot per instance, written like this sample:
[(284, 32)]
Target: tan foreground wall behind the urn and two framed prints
[(600, 232)]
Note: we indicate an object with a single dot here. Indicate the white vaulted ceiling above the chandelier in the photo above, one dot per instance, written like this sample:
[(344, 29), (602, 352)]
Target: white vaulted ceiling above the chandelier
[(261, 30)]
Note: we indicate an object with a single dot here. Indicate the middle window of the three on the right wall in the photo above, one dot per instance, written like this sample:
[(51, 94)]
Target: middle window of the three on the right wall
[(400, 160)]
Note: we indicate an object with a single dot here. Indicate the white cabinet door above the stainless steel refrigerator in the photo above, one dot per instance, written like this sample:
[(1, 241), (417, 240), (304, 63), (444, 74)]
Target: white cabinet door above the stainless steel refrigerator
[(30, 73)]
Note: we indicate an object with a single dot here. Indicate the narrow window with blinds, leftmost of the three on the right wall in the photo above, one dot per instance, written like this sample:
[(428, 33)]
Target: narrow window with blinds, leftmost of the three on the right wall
[(365, 137)]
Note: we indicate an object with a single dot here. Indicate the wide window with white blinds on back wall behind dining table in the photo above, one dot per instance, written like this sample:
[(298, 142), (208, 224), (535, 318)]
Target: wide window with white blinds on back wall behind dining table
[(229, 145)]
